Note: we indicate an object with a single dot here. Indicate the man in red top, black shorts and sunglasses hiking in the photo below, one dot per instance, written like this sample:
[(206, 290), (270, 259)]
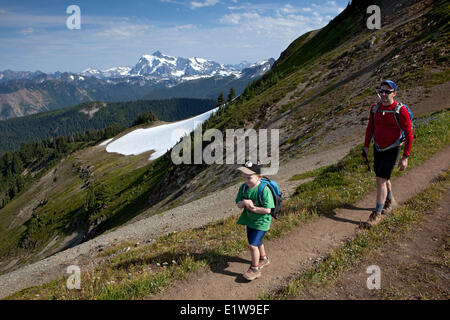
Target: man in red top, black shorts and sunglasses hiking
[(388, 130)]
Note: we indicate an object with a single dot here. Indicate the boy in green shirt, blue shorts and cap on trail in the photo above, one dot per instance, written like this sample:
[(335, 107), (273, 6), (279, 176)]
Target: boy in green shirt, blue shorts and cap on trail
[(256, 216)]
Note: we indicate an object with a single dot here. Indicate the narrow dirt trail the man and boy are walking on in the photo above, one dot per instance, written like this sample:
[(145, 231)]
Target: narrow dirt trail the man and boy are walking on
[(295, 253)]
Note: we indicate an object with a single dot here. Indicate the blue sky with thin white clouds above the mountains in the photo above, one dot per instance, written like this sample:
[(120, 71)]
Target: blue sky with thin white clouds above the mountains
[(34, 35)]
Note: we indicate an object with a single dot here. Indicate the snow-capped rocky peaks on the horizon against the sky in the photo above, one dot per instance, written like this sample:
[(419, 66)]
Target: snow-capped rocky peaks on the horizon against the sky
[(163, 67)]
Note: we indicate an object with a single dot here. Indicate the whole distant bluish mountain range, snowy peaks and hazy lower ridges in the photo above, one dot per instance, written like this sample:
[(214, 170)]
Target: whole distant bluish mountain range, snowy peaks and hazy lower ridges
[(155, 76)]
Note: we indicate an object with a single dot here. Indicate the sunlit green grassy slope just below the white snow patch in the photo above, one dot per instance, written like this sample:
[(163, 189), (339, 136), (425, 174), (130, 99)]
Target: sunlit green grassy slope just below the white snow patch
[(127, 186)]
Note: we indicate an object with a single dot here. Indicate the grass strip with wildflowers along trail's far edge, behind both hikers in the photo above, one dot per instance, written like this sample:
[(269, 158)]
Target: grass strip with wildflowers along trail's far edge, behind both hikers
[(136, 273)]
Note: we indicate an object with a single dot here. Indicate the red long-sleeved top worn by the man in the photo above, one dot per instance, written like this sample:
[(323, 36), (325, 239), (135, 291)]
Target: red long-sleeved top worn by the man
[(386, 128)]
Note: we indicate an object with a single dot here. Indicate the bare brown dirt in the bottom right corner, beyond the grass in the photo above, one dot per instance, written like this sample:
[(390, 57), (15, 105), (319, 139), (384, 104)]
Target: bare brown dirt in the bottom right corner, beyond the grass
[(412, 265)]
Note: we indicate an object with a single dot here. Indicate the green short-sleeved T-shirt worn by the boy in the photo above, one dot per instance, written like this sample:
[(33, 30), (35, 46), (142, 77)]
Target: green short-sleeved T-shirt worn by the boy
[(255, 220)]
